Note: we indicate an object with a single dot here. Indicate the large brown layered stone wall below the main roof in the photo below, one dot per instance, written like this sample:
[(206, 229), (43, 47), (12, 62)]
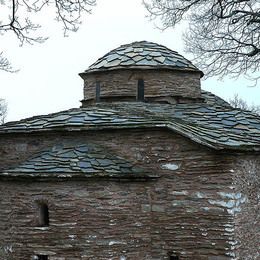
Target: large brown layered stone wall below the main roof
[(186, 211)]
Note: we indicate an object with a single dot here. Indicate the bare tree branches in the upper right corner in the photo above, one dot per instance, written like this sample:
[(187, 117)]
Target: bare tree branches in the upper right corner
[(223, 35)]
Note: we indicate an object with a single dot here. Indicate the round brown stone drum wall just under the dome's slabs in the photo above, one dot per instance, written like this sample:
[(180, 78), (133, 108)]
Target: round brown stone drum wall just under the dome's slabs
[(123, 83)]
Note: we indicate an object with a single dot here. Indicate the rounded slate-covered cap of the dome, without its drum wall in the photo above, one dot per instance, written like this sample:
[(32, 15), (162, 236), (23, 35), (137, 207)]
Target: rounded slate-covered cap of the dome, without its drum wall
[(142, 55)]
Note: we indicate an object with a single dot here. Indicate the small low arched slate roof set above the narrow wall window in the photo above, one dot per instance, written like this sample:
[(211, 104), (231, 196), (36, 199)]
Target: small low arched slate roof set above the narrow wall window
[(77, 160)]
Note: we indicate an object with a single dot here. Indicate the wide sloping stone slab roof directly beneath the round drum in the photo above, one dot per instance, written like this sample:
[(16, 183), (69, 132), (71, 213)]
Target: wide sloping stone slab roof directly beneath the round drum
[(218, 126)]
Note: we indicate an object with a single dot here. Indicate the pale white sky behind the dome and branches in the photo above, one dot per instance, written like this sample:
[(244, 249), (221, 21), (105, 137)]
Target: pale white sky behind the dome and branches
[(48, 79)]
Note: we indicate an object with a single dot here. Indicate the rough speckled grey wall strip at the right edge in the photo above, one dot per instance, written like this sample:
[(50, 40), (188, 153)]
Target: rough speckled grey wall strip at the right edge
[(246, 174)]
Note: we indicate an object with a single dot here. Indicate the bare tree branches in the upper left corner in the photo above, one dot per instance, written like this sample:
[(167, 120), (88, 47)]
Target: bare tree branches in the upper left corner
[(18, 18)]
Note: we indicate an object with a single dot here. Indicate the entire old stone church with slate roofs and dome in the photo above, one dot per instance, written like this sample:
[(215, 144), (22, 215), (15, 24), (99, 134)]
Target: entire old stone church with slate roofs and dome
[(149, 167)]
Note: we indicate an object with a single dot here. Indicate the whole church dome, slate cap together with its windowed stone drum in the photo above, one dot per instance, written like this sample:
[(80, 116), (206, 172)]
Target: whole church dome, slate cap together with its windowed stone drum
[(141, 71)]
